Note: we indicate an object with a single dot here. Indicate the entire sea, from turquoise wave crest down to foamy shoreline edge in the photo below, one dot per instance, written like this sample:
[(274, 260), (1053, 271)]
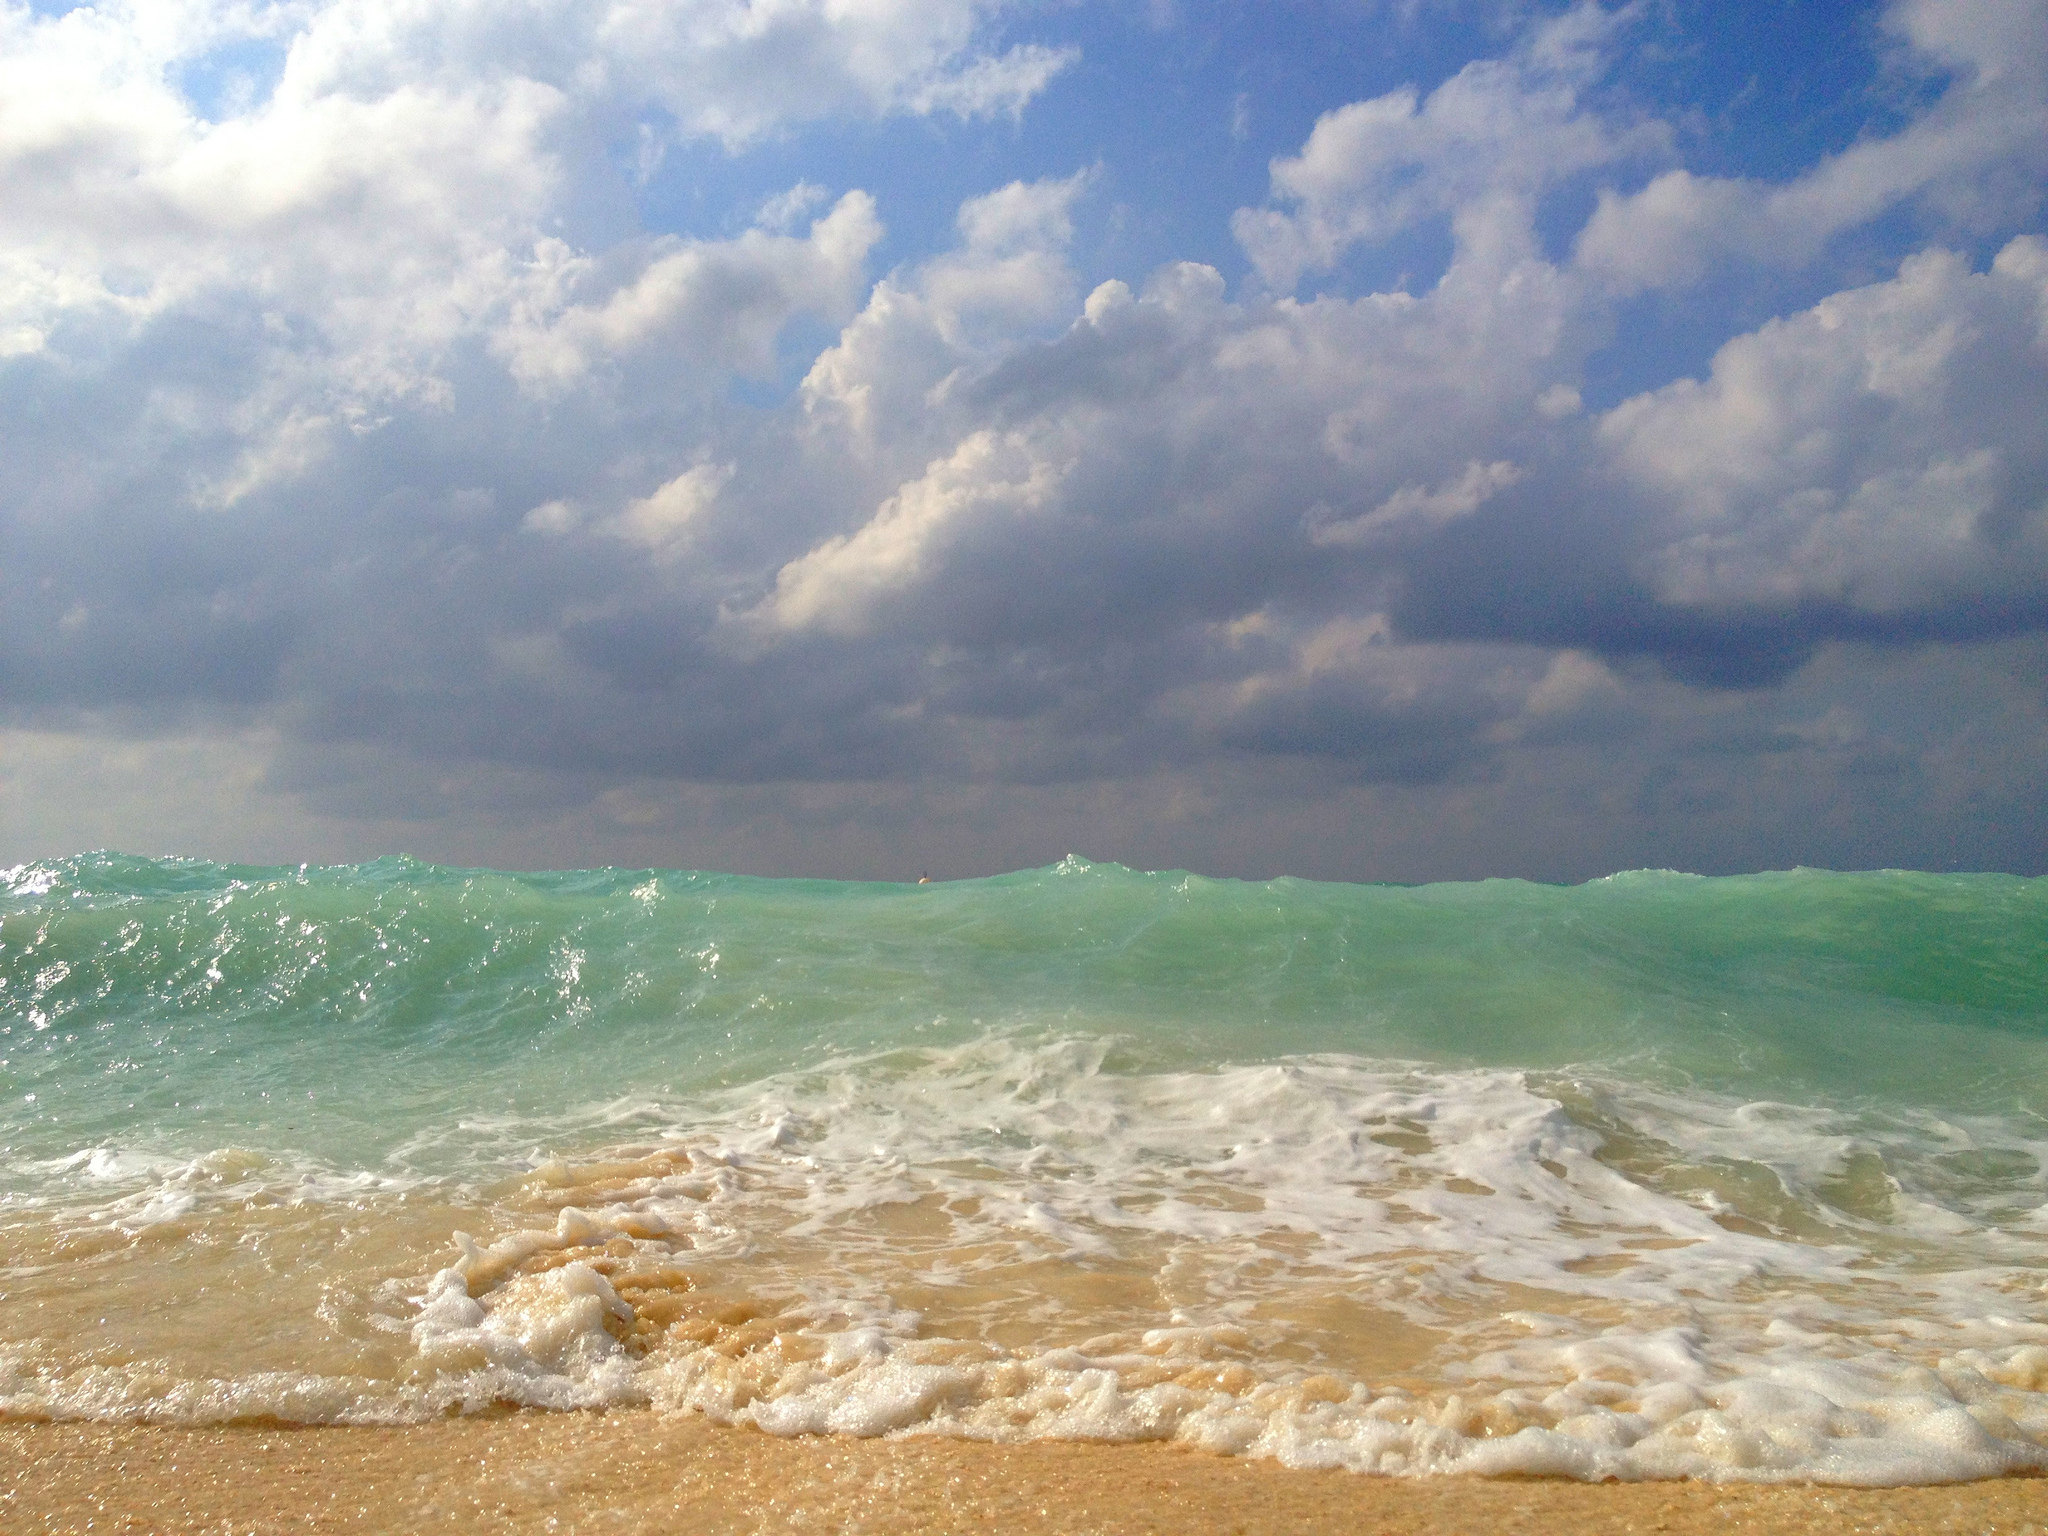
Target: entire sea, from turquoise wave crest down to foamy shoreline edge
[(1656, 1177)]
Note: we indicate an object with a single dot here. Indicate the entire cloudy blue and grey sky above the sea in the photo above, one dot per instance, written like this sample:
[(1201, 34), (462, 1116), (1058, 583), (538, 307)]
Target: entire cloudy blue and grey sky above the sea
[(1373, 441)]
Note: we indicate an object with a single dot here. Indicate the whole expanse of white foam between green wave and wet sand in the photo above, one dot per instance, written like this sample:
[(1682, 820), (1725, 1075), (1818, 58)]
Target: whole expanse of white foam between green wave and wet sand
[(1623, 1283)]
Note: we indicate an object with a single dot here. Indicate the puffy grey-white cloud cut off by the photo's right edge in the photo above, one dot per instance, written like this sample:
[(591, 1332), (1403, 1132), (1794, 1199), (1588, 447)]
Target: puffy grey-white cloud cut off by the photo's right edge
[(1883, 452)]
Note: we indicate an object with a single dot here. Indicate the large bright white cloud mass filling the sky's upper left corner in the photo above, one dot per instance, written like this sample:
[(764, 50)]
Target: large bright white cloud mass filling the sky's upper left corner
[(396, 181)]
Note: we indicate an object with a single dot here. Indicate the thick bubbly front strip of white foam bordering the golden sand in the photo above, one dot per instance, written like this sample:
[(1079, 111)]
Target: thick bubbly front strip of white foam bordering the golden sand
[(1873, 1424)]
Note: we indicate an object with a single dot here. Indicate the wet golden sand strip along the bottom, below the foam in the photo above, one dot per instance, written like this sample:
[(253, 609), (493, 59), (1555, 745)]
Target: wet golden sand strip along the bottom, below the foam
[(638, 1471)]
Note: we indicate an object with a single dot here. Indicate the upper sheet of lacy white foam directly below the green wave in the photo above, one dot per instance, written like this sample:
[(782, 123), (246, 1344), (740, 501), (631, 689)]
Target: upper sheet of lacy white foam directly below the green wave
[(1041, 1154)]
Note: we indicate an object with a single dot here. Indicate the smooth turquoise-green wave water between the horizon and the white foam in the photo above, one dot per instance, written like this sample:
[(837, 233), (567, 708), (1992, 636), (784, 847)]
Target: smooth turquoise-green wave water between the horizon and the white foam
[(173, 1000)]
